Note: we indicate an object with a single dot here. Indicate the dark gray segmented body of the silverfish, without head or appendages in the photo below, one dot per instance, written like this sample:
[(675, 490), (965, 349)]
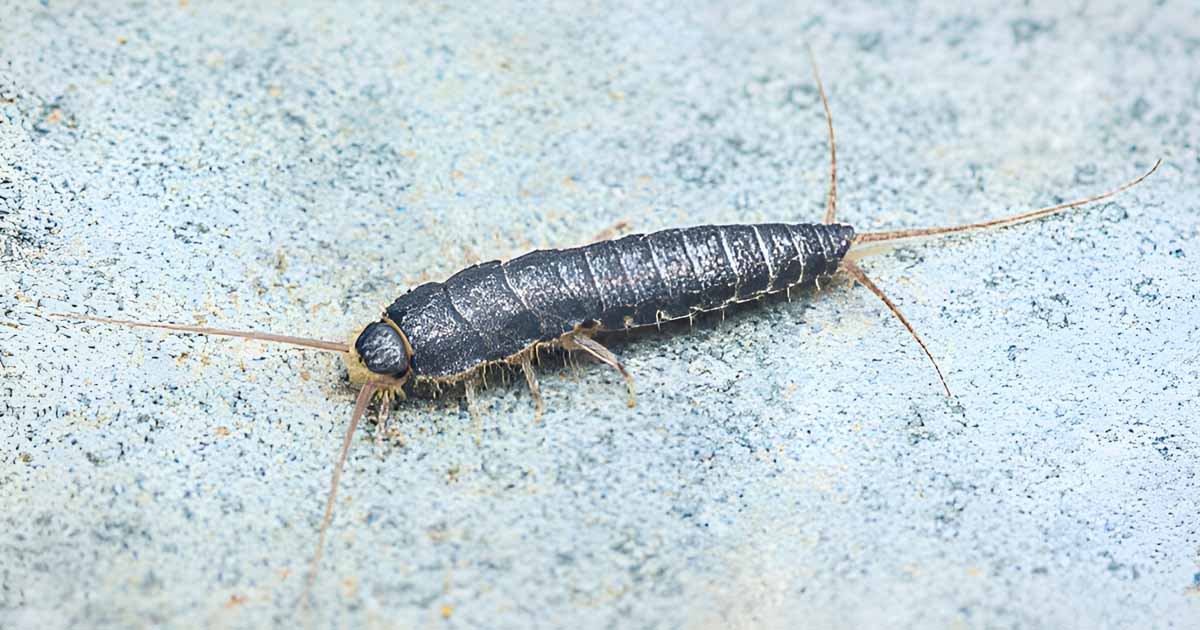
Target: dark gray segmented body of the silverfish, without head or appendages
[(493, 311)]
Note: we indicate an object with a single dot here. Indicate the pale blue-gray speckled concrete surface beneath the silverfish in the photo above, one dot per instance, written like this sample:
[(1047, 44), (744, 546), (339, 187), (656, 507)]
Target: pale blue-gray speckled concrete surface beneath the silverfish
[(293, 169)]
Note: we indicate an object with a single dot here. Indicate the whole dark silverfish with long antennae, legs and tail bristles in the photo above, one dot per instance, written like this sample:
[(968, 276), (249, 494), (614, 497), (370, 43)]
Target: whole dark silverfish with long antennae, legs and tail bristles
[(448, 334)]
